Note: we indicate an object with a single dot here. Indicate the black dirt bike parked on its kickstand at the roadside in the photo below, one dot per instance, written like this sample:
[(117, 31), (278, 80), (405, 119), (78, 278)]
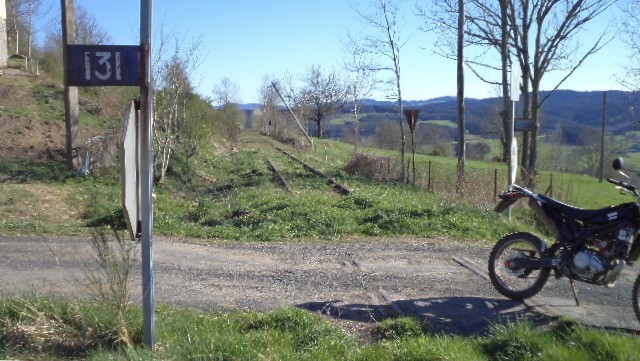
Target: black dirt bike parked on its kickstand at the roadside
[(591, 245)]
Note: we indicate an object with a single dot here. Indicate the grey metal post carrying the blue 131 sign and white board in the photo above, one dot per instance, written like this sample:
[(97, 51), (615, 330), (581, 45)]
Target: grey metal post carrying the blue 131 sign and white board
[(128, 65)]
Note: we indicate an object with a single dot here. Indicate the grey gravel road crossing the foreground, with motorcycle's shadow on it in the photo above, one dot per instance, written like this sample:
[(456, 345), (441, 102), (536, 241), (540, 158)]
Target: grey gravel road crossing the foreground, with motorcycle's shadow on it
[(356, 282)]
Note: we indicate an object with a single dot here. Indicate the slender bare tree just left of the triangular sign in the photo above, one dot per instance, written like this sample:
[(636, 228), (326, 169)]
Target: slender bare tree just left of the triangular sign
[(384, 44)]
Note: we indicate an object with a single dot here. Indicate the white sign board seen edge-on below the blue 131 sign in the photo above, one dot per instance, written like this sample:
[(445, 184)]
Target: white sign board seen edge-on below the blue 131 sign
[(129, 174)]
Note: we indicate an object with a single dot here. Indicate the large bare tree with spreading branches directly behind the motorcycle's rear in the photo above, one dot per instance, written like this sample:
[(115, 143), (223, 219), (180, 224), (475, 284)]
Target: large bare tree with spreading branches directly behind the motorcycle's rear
[(553, 25)]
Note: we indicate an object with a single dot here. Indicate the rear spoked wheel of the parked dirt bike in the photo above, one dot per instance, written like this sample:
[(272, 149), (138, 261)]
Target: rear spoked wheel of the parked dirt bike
[(521, 283)]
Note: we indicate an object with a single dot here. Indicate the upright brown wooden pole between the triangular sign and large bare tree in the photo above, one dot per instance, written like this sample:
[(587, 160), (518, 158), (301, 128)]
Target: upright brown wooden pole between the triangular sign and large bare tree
[(461, 125)]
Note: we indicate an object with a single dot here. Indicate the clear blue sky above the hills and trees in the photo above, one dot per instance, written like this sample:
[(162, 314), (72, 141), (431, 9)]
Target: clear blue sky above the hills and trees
[(246, 40)]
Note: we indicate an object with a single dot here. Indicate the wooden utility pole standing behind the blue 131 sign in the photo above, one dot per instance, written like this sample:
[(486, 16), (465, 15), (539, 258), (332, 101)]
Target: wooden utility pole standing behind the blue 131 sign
[(72, 113)]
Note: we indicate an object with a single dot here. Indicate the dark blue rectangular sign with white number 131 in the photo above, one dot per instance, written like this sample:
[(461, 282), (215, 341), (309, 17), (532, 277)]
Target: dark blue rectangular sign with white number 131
[(103, 65)]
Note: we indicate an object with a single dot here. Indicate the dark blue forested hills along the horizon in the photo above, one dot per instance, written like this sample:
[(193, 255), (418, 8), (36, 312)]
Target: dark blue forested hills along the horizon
[(564, 108)]
